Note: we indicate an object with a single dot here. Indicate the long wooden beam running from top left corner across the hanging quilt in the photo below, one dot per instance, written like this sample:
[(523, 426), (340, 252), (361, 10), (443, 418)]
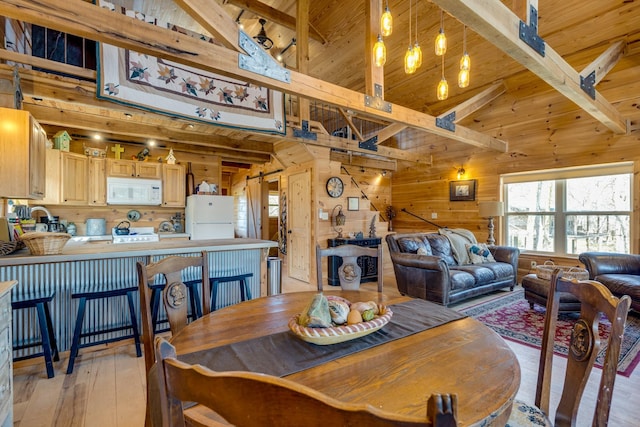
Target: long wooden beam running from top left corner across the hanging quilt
[(90, 21)]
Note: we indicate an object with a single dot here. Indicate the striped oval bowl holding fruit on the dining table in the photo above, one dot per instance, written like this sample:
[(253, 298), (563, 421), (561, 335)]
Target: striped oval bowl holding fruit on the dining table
[(337, 334)]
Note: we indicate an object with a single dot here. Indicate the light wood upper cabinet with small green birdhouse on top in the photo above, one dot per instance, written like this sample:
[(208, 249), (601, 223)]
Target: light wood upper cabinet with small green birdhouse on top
[(67, 178)]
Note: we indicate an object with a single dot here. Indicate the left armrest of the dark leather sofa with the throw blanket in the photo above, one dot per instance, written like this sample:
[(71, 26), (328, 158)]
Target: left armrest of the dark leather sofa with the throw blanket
[(422, 276)]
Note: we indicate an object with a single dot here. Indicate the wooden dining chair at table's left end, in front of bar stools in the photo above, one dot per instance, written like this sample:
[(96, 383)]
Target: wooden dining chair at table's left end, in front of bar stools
[(174, 296)]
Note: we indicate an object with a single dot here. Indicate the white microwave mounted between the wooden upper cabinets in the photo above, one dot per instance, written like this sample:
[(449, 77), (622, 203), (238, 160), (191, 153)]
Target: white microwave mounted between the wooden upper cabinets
[(134, 191)]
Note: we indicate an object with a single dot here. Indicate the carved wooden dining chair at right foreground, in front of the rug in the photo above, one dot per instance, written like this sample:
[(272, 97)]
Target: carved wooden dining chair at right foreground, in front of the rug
[(584, 346)]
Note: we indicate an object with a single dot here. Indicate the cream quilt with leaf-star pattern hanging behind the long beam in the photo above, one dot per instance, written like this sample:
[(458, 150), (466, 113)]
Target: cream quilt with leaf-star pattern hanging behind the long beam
[(167, 87)]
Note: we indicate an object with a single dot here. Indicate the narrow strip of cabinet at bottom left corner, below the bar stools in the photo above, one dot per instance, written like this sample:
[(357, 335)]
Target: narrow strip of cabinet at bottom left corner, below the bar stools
[(6, 374)]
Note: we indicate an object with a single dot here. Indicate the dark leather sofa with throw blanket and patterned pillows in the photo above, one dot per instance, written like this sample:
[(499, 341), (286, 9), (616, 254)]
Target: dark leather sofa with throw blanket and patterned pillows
[(438, 277)]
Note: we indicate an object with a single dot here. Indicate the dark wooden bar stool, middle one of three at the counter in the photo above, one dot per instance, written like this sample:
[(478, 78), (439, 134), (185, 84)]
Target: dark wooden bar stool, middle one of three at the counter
[(89, 294)]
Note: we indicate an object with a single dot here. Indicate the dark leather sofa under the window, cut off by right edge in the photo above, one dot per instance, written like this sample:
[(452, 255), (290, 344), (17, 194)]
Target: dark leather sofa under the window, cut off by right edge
[(618, 272)]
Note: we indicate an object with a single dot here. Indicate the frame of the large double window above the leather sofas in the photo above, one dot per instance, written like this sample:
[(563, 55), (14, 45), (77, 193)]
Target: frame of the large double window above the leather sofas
[(560, 214)]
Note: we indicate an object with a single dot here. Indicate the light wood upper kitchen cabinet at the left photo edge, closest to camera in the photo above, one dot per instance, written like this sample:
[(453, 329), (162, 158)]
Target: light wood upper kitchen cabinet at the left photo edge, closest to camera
[(22, 153)]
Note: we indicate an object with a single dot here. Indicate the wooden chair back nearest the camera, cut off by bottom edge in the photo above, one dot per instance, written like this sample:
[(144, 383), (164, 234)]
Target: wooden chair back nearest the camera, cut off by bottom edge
[(251, 399)]
